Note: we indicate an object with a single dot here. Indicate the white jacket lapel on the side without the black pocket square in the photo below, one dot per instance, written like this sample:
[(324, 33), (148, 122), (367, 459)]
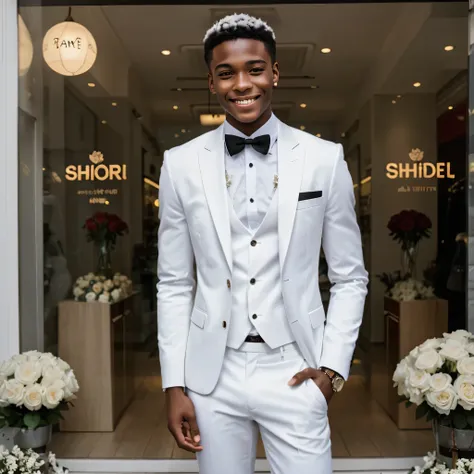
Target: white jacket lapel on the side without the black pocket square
[(212, 166)]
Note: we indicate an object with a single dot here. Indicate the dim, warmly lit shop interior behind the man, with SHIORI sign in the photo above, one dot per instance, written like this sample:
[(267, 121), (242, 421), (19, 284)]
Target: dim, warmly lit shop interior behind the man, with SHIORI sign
[(388, 81)]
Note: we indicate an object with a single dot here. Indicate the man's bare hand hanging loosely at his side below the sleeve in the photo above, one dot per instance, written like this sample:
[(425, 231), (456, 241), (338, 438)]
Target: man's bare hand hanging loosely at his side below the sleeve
[(182, 420)]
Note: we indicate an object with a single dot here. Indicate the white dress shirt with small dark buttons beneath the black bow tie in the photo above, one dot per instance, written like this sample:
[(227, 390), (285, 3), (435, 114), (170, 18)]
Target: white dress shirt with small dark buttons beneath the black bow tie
[(252, 174)]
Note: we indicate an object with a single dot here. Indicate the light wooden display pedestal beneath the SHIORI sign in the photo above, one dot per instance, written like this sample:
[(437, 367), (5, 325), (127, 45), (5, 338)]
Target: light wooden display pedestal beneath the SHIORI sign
[(94, 339)]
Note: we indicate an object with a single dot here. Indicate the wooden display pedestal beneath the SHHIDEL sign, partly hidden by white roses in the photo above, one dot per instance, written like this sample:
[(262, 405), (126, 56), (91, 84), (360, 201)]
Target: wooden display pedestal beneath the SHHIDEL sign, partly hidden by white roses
[(407, 325)]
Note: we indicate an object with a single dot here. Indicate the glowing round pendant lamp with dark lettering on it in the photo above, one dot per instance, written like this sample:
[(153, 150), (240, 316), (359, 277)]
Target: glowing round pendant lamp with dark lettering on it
[(69, 48)]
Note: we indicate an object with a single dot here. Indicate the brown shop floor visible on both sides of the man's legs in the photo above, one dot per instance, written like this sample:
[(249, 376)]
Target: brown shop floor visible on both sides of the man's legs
[(360, 428)]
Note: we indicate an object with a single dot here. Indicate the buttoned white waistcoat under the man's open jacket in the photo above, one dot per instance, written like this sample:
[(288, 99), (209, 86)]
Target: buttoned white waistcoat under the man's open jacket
[(257, 300)]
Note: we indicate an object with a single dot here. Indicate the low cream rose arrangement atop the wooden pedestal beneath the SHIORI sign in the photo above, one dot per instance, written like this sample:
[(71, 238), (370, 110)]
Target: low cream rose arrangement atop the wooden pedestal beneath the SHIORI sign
[(92, 287)]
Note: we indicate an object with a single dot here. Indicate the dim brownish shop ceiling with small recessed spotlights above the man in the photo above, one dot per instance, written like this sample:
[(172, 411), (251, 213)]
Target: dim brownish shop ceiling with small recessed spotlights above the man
[(357, 34)]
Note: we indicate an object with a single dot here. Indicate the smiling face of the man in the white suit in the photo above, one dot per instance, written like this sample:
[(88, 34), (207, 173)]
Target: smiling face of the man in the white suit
[(242, 76)]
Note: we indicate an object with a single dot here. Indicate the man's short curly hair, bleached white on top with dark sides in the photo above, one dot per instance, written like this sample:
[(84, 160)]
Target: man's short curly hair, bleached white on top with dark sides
[(239, 26)]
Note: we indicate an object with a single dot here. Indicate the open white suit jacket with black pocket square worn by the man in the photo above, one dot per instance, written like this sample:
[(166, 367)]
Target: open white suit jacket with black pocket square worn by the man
[(194, 313)]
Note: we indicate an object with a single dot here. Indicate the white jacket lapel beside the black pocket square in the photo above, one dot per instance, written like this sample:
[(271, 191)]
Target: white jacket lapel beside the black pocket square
[(290, 173)]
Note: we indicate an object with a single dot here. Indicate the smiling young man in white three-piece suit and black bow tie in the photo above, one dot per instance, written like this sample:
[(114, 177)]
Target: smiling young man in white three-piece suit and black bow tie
[(249, 348)]
